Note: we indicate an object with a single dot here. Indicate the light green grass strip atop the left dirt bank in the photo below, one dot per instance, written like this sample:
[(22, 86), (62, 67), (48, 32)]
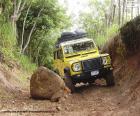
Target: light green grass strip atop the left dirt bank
[(8, 46)]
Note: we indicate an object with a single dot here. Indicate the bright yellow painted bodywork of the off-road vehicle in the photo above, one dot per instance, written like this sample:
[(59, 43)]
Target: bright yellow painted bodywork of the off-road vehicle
[(68, 60)]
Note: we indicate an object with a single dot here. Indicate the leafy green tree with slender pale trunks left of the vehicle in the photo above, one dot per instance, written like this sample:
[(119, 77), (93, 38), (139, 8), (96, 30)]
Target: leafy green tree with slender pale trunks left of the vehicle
[(39, 26)]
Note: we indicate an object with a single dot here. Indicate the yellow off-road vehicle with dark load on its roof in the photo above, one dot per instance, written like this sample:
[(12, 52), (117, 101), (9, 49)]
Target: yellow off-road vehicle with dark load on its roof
[(77, 59)]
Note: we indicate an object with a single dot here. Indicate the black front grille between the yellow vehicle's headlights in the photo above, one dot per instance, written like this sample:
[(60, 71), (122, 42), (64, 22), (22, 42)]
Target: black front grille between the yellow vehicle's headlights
[(92, 64)]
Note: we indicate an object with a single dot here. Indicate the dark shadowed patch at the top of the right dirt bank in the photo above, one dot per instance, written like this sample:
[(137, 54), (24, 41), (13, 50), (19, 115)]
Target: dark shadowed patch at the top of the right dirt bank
[(130, 35)]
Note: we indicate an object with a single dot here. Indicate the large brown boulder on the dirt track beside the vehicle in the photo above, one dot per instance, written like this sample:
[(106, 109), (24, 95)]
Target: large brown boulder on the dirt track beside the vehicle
[(45, 84)]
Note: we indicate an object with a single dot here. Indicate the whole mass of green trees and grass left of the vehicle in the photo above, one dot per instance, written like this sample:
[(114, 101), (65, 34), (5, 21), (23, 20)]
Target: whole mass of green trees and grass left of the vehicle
[(29, 30)]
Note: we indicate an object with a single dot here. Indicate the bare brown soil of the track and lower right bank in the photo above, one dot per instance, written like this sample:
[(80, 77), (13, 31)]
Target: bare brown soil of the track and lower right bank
[(89, 100)]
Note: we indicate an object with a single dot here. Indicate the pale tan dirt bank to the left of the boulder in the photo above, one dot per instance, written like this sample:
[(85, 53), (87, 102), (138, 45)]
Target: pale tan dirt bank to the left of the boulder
[(11, 81)]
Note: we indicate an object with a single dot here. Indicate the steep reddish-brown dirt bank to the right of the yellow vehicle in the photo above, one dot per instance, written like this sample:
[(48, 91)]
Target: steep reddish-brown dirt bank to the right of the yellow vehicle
[(123, 49)]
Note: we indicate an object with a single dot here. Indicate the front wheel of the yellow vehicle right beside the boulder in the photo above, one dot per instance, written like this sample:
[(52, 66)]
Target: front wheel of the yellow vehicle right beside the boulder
[(69, 84)]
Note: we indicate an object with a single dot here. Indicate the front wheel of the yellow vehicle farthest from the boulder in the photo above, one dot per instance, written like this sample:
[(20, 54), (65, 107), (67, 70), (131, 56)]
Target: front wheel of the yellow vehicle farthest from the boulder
[(110, 79)]
